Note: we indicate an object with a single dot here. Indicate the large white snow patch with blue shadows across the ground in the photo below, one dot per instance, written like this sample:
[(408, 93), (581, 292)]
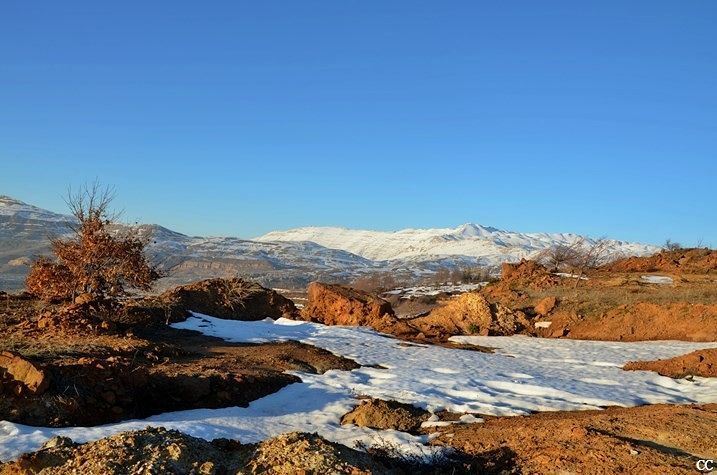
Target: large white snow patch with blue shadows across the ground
[(523, 375)]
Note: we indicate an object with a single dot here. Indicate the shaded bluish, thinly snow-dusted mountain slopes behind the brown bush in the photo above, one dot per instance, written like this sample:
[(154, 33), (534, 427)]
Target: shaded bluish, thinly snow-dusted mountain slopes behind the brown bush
[(25, 231)]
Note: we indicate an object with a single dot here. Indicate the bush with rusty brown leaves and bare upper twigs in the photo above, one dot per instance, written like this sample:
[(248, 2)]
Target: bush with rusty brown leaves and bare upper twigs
[(92, 261)]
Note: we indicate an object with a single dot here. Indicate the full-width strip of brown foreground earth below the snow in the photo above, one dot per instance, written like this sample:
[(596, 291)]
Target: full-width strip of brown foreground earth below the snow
[(663, 439)]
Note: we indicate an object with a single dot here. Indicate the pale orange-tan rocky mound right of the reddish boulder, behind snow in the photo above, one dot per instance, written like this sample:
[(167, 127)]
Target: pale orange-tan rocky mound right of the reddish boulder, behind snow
[(471, 314)]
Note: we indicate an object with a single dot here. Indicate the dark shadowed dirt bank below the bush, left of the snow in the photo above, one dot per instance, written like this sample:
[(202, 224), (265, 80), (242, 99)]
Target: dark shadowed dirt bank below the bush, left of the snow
[(94, 376)]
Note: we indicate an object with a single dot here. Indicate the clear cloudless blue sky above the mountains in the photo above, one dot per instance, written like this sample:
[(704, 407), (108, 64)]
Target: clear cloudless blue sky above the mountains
[(236, 118)]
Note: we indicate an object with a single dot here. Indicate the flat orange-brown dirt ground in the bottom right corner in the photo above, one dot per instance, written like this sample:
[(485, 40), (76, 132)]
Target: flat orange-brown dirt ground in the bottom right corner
[(649, 439)]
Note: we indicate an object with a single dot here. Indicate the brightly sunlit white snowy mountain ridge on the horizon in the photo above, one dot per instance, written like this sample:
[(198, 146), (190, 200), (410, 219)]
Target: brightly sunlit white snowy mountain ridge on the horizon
[(468, 240)]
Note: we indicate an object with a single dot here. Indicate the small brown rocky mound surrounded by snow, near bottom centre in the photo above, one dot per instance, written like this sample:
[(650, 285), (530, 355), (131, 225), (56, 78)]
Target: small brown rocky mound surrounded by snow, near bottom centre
[(380, 414)]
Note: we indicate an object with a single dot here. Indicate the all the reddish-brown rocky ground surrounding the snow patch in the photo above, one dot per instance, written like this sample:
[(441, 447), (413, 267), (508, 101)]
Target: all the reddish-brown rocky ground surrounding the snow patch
[(89, 364)]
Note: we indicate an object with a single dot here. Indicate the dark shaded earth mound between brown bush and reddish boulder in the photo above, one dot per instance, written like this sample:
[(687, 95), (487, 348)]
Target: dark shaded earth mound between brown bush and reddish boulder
[(234, 299)]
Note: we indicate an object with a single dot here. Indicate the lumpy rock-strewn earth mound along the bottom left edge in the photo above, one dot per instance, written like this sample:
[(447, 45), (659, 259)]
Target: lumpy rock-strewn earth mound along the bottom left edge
[(158, 450)]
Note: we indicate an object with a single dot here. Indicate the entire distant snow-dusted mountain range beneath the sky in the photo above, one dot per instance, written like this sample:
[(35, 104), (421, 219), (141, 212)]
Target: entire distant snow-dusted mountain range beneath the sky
[(289, 258)]
